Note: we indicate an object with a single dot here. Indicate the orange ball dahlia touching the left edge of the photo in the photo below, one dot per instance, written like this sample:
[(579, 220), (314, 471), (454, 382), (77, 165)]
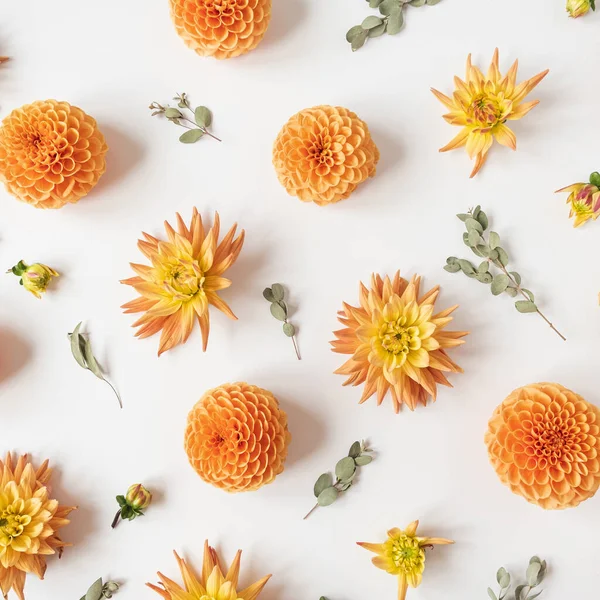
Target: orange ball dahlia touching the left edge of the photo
[(51, 154)]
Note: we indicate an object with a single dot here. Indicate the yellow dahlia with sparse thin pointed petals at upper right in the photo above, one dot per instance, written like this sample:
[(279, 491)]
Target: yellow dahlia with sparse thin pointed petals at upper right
[(483, 104)]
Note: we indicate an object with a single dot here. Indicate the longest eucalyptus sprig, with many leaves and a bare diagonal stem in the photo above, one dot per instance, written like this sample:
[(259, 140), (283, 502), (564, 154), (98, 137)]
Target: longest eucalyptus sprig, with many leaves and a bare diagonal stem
[(476, 223)]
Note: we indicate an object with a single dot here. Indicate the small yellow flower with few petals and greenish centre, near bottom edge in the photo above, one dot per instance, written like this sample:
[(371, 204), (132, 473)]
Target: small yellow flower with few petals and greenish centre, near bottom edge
[(403, 555)]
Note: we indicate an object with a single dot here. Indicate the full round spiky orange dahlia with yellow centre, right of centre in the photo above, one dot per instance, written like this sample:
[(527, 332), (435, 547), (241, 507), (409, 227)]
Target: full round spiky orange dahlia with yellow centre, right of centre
[(396, 342)]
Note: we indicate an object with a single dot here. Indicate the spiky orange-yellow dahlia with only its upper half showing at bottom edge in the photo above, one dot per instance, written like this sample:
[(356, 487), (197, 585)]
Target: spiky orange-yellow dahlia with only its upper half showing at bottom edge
[(213, 584)]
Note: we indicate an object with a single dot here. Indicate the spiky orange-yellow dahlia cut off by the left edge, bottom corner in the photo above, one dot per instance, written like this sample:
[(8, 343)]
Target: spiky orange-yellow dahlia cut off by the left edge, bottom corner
[(29, 522)]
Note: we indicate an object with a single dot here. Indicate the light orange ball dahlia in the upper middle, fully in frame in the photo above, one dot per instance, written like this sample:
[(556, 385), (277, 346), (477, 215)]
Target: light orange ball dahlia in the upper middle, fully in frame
[(323, 153)]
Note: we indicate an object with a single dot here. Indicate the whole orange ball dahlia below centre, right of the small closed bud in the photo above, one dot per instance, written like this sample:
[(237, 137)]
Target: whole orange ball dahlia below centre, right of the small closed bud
[(237, 437)]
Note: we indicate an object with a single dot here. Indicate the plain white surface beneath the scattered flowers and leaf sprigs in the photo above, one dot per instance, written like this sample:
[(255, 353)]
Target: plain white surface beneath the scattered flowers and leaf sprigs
[(112, 58)]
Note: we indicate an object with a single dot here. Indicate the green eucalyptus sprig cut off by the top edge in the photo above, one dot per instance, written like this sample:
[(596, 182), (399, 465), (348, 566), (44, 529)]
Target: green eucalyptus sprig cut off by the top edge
[(391, 20)]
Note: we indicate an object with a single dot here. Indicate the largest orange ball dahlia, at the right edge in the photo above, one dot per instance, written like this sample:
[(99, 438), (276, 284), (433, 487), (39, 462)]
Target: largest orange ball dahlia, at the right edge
[(543, 441)]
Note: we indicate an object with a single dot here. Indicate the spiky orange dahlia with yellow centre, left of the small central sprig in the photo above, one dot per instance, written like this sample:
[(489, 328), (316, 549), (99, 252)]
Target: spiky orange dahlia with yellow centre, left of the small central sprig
[(184, 278)]
